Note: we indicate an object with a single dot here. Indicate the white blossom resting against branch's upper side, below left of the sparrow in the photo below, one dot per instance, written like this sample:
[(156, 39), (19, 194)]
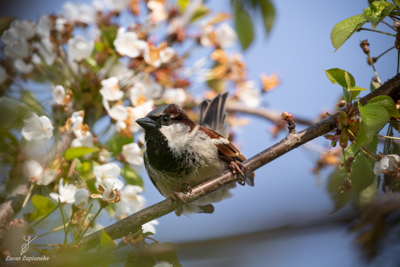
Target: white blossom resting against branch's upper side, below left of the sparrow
[(130, 201)]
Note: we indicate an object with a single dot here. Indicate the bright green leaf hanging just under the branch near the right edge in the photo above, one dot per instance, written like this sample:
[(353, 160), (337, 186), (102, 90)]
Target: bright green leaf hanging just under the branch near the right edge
[(373, 118)]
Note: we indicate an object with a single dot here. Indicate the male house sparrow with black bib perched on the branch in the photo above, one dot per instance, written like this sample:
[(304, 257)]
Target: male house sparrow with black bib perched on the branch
[(181, 154)]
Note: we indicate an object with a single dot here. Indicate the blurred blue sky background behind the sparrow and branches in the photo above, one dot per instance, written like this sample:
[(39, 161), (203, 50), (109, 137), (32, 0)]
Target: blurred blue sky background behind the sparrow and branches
[(286, 219)]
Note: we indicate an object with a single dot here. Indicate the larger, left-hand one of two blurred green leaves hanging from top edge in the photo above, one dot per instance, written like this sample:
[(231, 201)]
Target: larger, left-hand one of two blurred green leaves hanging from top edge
[(244, 26)]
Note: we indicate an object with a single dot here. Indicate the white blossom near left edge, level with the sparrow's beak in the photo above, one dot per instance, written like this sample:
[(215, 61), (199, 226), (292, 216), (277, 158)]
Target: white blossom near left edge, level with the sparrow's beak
[(36, 128)]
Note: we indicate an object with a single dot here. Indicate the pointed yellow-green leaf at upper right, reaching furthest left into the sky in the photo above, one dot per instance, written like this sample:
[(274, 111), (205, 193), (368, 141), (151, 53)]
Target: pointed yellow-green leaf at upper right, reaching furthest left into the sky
[(344, 29)]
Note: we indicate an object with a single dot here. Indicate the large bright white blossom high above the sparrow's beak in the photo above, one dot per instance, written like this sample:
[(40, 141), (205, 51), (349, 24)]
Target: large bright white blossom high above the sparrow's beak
[(128, 44)]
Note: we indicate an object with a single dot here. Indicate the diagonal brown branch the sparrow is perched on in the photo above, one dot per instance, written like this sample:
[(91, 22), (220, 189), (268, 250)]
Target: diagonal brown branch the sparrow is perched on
[(292, 141)]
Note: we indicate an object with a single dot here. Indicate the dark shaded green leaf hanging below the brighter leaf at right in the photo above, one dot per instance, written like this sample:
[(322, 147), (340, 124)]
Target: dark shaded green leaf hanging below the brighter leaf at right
[(362, 170)]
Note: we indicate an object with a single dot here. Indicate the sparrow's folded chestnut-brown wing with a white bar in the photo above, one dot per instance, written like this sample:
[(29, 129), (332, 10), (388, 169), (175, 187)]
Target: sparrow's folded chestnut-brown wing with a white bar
[(226, 150)]
